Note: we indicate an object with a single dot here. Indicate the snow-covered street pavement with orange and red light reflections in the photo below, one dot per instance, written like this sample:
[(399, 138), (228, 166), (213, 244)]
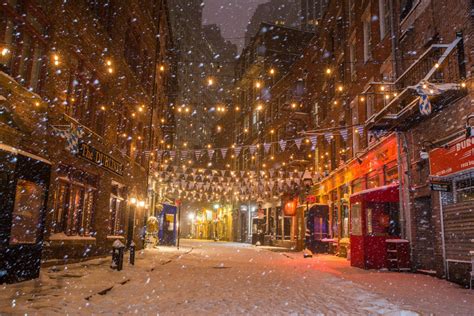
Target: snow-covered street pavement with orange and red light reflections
[(230, 278)]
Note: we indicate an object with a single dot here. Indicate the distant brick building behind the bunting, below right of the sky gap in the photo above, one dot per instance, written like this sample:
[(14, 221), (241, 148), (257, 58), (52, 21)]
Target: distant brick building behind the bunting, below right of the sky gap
[(262, 64)]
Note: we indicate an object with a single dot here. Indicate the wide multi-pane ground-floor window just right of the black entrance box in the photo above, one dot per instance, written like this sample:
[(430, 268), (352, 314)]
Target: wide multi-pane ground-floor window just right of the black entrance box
[(74, 202)]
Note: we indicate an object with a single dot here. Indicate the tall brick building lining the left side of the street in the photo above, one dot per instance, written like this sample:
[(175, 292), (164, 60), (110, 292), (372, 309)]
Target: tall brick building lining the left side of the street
[(91, 74)]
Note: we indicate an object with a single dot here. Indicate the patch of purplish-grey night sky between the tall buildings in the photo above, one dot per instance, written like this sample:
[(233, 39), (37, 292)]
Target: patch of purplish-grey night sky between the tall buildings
[(232, 15)]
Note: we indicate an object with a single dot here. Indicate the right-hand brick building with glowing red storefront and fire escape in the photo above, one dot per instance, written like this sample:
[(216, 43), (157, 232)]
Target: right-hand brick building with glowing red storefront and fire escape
[(378, 152)]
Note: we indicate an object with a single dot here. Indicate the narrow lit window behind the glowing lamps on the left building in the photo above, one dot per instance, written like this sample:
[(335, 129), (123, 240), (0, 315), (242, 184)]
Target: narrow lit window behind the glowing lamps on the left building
[(117, 209)]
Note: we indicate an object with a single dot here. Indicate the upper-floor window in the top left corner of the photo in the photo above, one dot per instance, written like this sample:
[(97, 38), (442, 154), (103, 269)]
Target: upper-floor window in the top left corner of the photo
[(23, 32)]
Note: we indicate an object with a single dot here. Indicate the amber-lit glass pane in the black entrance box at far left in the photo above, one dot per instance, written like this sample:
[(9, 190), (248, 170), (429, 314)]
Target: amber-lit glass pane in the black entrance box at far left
[(29, 202)]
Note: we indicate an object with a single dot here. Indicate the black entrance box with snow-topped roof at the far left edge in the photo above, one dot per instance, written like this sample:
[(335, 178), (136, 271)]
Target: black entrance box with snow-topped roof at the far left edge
[(24, 183)]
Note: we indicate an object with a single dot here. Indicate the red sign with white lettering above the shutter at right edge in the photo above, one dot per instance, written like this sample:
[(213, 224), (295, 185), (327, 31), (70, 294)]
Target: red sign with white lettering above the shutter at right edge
[(458, 157)]
